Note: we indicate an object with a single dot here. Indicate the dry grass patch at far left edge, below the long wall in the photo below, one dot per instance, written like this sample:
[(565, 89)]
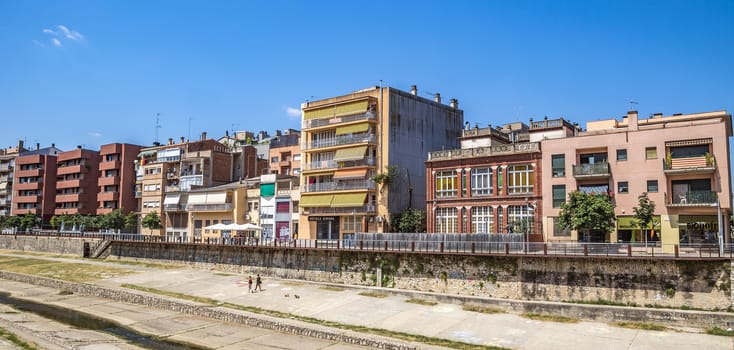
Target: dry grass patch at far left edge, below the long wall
[(73, 272)]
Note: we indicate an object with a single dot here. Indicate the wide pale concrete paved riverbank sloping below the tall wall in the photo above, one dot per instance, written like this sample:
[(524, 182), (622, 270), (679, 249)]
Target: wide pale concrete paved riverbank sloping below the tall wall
[(345, 305)]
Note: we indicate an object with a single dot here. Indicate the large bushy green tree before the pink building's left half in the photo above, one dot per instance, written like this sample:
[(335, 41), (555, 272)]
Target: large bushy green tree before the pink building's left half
[(585, 212)]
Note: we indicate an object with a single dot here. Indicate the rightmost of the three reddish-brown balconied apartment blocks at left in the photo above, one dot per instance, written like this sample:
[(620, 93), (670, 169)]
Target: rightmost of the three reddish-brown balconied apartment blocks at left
[(116, 183)]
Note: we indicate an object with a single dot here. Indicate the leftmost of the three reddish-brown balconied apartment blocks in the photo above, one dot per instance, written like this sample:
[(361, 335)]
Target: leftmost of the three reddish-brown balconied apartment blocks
[(34, 183)]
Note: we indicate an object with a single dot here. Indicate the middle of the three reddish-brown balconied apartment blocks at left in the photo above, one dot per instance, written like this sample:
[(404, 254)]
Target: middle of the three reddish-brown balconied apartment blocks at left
[(77, 174)]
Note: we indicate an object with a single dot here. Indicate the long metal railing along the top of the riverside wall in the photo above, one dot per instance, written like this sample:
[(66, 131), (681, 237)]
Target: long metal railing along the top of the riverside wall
[(476, 244)]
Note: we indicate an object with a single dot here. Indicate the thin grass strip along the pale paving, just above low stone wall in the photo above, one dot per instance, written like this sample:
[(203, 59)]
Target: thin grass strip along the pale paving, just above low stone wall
[(378, 331)]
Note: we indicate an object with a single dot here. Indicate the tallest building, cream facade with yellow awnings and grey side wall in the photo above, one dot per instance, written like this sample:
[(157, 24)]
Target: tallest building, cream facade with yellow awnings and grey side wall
[(346, 140)]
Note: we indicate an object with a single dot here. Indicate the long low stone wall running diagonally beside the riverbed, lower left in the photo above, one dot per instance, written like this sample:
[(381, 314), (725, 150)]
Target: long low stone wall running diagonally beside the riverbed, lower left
[(212, 312)]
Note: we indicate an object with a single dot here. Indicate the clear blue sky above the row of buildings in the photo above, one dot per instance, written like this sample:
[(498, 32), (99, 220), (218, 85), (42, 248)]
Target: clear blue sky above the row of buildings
[(96, 72)]
